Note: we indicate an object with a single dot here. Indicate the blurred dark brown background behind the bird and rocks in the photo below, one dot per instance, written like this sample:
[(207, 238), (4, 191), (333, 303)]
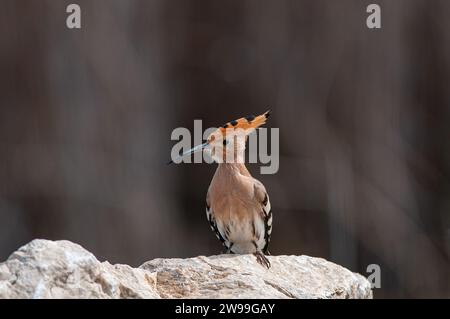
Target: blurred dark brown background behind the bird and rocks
[(86, 117)]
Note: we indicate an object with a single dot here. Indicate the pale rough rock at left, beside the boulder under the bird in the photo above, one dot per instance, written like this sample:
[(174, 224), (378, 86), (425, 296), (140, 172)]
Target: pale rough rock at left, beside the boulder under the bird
[(62, 269)]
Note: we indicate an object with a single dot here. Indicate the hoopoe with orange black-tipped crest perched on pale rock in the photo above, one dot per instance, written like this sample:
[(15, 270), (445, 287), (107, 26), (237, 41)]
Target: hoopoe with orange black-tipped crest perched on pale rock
[(237, 205)]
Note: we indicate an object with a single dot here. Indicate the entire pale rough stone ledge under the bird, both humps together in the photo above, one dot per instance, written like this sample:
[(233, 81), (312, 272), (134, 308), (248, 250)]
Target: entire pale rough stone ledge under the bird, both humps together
[(62, 269)]
